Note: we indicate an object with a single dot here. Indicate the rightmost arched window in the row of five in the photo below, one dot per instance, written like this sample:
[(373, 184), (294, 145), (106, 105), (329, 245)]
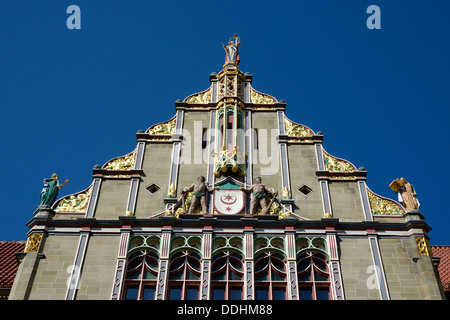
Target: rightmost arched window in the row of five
[(313, 276)]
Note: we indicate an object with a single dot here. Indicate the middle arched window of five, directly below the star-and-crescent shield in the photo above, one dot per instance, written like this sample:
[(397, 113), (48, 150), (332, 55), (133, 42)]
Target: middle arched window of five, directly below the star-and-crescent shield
[(227, 276)]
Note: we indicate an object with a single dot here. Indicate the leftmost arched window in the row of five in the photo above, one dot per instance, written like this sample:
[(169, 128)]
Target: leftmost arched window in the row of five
[(141, 275)]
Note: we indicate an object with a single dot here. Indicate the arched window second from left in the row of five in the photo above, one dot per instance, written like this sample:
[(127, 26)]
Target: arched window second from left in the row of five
[(184, 276)]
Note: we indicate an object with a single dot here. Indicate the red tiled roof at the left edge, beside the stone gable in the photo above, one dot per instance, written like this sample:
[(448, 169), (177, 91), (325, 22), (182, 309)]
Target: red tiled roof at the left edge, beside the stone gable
[(8, 261)]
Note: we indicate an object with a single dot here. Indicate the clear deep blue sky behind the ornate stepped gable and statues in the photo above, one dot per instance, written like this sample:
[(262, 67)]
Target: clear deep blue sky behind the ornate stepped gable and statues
[(75, 98)]
